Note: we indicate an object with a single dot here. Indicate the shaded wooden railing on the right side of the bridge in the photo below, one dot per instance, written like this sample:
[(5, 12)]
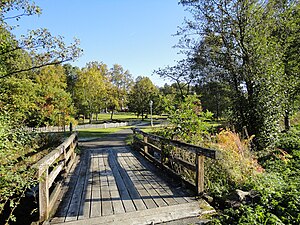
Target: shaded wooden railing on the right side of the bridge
[(163, 158)]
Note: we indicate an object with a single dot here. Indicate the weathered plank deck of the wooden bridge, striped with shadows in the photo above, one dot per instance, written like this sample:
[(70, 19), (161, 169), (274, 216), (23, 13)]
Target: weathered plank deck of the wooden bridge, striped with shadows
[(112, 184)]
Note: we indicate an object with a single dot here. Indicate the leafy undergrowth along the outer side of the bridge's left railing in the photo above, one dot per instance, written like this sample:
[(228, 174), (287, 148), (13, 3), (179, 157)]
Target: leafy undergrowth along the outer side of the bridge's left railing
[(19, 150)]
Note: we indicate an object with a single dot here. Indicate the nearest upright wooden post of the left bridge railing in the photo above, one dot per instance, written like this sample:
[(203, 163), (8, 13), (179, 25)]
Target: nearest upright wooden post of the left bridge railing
[(43, 195)]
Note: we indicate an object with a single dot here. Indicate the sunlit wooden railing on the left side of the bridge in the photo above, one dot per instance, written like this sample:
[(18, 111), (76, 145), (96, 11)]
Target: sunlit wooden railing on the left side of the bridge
[(50, 171)]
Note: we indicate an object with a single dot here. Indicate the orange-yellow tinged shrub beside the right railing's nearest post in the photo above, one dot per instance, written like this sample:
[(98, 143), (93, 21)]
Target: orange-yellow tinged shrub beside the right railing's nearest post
[(235, 164)]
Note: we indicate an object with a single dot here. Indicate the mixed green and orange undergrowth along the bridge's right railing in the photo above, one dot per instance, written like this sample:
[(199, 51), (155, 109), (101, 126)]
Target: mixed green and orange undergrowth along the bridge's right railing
[(270, 178)]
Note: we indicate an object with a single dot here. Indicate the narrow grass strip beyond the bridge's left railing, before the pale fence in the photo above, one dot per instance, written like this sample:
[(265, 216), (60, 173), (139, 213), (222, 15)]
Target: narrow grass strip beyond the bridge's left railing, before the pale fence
[(98, 132)]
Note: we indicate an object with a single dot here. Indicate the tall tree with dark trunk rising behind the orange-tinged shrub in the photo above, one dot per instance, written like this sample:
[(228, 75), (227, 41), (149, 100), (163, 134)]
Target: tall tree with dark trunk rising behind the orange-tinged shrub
[(237, 45)]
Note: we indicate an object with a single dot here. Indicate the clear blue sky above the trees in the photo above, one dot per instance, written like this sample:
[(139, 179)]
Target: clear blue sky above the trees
[(137, 34)]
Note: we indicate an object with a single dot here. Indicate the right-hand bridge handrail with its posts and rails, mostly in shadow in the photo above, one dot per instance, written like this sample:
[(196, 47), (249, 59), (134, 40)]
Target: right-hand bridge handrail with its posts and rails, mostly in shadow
[(200, 153)]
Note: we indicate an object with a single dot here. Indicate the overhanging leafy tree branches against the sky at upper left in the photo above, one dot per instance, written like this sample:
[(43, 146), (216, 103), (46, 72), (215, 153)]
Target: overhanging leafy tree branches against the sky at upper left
[(43, 48)]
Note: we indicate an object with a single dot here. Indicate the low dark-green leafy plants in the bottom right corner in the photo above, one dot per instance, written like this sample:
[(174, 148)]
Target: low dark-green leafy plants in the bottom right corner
[(277, 190)]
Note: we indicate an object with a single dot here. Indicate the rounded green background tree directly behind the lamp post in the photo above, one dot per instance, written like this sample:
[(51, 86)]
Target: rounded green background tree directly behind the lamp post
[(141, 93)]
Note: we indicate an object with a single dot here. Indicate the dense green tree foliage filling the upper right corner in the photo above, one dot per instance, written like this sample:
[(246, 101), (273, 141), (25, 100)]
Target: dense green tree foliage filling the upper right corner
[(251, 47)]
